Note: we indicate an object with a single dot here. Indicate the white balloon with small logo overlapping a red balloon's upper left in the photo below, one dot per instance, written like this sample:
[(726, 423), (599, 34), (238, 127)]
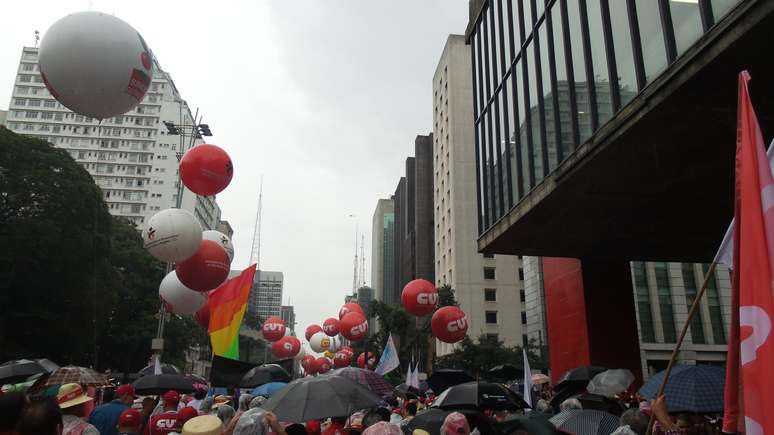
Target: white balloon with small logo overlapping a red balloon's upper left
[(172, 235)]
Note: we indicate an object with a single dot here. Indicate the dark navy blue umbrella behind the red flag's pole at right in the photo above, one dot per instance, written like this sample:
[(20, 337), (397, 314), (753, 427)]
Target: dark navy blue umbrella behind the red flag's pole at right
[(697, 389)]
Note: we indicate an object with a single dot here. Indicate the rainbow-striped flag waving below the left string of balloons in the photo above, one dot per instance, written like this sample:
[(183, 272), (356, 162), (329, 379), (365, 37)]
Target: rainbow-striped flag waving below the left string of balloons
[(228, 304)]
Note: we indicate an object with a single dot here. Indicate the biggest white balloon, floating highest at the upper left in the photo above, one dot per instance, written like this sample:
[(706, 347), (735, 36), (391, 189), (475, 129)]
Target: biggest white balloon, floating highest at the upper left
[(95, 64)]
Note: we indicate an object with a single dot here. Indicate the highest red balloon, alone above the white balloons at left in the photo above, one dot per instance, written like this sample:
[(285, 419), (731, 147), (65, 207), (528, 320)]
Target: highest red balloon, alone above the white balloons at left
[(206, 169)]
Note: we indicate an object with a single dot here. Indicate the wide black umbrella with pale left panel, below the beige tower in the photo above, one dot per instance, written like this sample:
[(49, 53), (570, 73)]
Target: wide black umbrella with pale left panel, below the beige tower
[(480, 395)]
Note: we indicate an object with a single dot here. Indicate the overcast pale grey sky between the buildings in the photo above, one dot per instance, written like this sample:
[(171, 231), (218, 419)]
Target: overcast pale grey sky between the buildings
[(322, 97)]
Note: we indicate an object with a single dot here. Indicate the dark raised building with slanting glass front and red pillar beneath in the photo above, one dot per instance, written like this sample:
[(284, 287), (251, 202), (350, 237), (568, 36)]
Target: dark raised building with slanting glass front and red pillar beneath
[(582, 169)]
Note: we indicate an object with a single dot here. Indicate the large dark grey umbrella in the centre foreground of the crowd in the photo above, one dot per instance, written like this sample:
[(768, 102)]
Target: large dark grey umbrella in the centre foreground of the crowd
[(314, 398)]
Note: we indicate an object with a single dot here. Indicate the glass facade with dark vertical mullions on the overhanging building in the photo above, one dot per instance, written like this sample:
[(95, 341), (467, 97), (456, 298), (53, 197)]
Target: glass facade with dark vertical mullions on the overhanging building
[(547, 74)]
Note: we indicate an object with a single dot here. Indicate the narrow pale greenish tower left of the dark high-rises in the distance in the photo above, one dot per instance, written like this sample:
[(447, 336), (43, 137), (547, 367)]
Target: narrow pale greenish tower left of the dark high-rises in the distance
[(383, 251)]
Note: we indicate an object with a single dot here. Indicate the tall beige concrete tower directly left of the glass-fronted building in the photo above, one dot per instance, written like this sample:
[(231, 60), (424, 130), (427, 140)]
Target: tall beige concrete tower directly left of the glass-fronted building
[(487, 287)]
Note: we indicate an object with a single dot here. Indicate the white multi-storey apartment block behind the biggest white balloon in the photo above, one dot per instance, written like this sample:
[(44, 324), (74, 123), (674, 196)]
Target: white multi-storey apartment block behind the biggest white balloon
[(131, 157)]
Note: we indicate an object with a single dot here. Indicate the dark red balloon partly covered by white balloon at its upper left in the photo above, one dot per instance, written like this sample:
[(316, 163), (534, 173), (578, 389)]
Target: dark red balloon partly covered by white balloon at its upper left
[(206, 269)]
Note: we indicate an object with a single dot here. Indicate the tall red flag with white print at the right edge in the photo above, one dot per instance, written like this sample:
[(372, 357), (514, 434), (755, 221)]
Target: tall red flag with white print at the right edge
[(749, 372)]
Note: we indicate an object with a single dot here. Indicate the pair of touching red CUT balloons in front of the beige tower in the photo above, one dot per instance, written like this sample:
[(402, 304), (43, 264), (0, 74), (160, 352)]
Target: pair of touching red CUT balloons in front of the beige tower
[(420, 298)]
